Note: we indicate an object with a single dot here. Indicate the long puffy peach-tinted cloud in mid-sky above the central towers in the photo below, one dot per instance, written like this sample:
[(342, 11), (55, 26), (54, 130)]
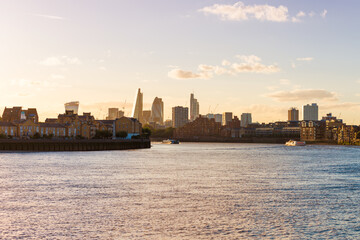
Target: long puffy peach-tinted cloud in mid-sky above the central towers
[(248, 64)]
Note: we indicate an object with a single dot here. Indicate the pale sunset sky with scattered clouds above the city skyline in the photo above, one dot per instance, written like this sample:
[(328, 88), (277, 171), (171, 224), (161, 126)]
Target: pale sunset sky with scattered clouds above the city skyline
[(253, 56)]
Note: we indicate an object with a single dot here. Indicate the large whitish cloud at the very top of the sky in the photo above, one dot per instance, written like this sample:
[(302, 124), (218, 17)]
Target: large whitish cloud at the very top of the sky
[(241, 12)]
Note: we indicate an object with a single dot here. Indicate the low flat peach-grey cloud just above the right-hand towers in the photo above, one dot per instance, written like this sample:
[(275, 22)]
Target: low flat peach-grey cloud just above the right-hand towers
[(303, 95)]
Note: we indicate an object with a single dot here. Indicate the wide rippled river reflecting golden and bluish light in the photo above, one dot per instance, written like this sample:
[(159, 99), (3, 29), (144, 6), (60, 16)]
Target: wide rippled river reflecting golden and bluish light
[(186, 191)]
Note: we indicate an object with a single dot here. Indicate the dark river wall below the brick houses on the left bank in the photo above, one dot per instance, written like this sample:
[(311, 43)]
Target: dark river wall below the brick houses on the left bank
[(71, 145)]
